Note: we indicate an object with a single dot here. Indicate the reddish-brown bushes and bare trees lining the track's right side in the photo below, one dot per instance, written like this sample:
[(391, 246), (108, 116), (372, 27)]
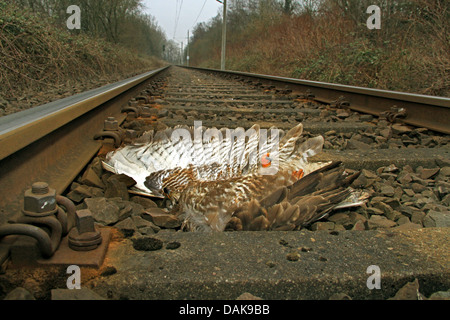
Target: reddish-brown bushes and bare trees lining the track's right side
[(328, 40)]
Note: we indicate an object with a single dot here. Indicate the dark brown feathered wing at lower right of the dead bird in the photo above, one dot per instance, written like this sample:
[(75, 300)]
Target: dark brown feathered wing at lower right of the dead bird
[(300, 204)]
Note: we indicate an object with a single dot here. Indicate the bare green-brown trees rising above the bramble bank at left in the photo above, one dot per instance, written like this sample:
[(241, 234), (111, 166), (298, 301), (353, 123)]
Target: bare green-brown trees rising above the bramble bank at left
[(117, 21)]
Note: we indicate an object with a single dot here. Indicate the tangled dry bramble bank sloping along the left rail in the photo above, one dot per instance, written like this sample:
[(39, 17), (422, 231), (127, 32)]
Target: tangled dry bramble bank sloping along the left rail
[(36, 55)]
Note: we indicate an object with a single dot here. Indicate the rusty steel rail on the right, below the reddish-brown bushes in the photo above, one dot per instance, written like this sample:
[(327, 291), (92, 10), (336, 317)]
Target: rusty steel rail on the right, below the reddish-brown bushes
[(421, 110)]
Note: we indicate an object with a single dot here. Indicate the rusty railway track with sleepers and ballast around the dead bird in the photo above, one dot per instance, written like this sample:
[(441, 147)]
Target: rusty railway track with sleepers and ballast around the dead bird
[(403, 152)]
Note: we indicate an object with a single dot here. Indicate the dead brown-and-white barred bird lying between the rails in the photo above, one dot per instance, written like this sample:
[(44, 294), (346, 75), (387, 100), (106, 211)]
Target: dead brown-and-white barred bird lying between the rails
[(235, 179)]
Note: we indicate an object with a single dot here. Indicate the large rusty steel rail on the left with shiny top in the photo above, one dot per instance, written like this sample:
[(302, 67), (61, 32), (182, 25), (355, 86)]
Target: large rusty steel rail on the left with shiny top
[(54, 142)]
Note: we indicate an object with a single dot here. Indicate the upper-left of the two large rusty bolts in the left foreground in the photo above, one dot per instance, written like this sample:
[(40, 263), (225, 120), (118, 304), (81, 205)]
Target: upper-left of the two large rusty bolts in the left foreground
[(40, 200)]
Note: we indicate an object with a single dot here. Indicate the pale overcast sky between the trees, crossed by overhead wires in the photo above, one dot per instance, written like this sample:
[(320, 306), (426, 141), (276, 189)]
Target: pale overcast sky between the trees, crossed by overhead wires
[(167, 11)]
